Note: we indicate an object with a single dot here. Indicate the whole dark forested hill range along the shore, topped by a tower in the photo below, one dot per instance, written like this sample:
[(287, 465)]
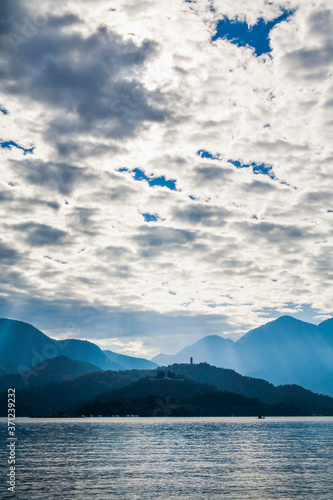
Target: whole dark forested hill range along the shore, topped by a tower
[(181, 390)]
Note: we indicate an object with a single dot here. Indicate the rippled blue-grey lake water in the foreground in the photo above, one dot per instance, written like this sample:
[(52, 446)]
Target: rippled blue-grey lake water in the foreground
[(171, 458)]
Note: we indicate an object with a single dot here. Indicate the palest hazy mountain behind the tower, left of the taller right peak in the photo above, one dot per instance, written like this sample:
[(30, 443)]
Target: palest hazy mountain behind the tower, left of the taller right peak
[(213, 349)]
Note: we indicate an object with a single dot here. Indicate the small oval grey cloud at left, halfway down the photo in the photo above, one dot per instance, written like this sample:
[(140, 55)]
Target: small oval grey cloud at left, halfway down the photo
[(41, 234)]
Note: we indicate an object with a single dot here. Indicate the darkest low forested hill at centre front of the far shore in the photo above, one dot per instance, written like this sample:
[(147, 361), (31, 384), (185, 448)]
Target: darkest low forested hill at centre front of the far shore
[(176, 396)]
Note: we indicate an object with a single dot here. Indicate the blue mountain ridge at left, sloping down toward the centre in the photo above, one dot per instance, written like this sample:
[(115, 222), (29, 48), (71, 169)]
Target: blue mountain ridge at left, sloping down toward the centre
[(22, 346)]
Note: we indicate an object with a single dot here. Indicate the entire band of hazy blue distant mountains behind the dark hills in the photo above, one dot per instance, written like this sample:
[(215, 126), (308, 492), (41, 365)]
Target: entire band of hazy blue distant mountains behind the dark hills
[(283, 351)]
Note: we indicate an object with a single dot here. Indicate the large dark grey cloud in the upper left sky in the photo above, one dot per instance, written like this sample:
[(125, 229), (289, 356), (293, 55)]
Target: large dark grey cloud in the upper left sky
[(92, 81)]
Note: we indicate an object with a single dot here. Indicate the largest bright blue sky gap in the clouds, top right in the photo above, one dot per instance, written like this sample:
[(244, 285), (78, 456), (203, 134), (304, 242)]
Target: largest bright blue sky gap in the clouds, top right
[(256, 36)]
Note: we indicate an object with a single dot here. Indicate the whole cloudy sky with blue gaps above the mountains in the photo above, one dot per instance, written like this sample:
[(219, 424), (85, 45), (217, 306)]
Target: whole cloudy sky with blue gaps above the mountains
[(166, 172)]
